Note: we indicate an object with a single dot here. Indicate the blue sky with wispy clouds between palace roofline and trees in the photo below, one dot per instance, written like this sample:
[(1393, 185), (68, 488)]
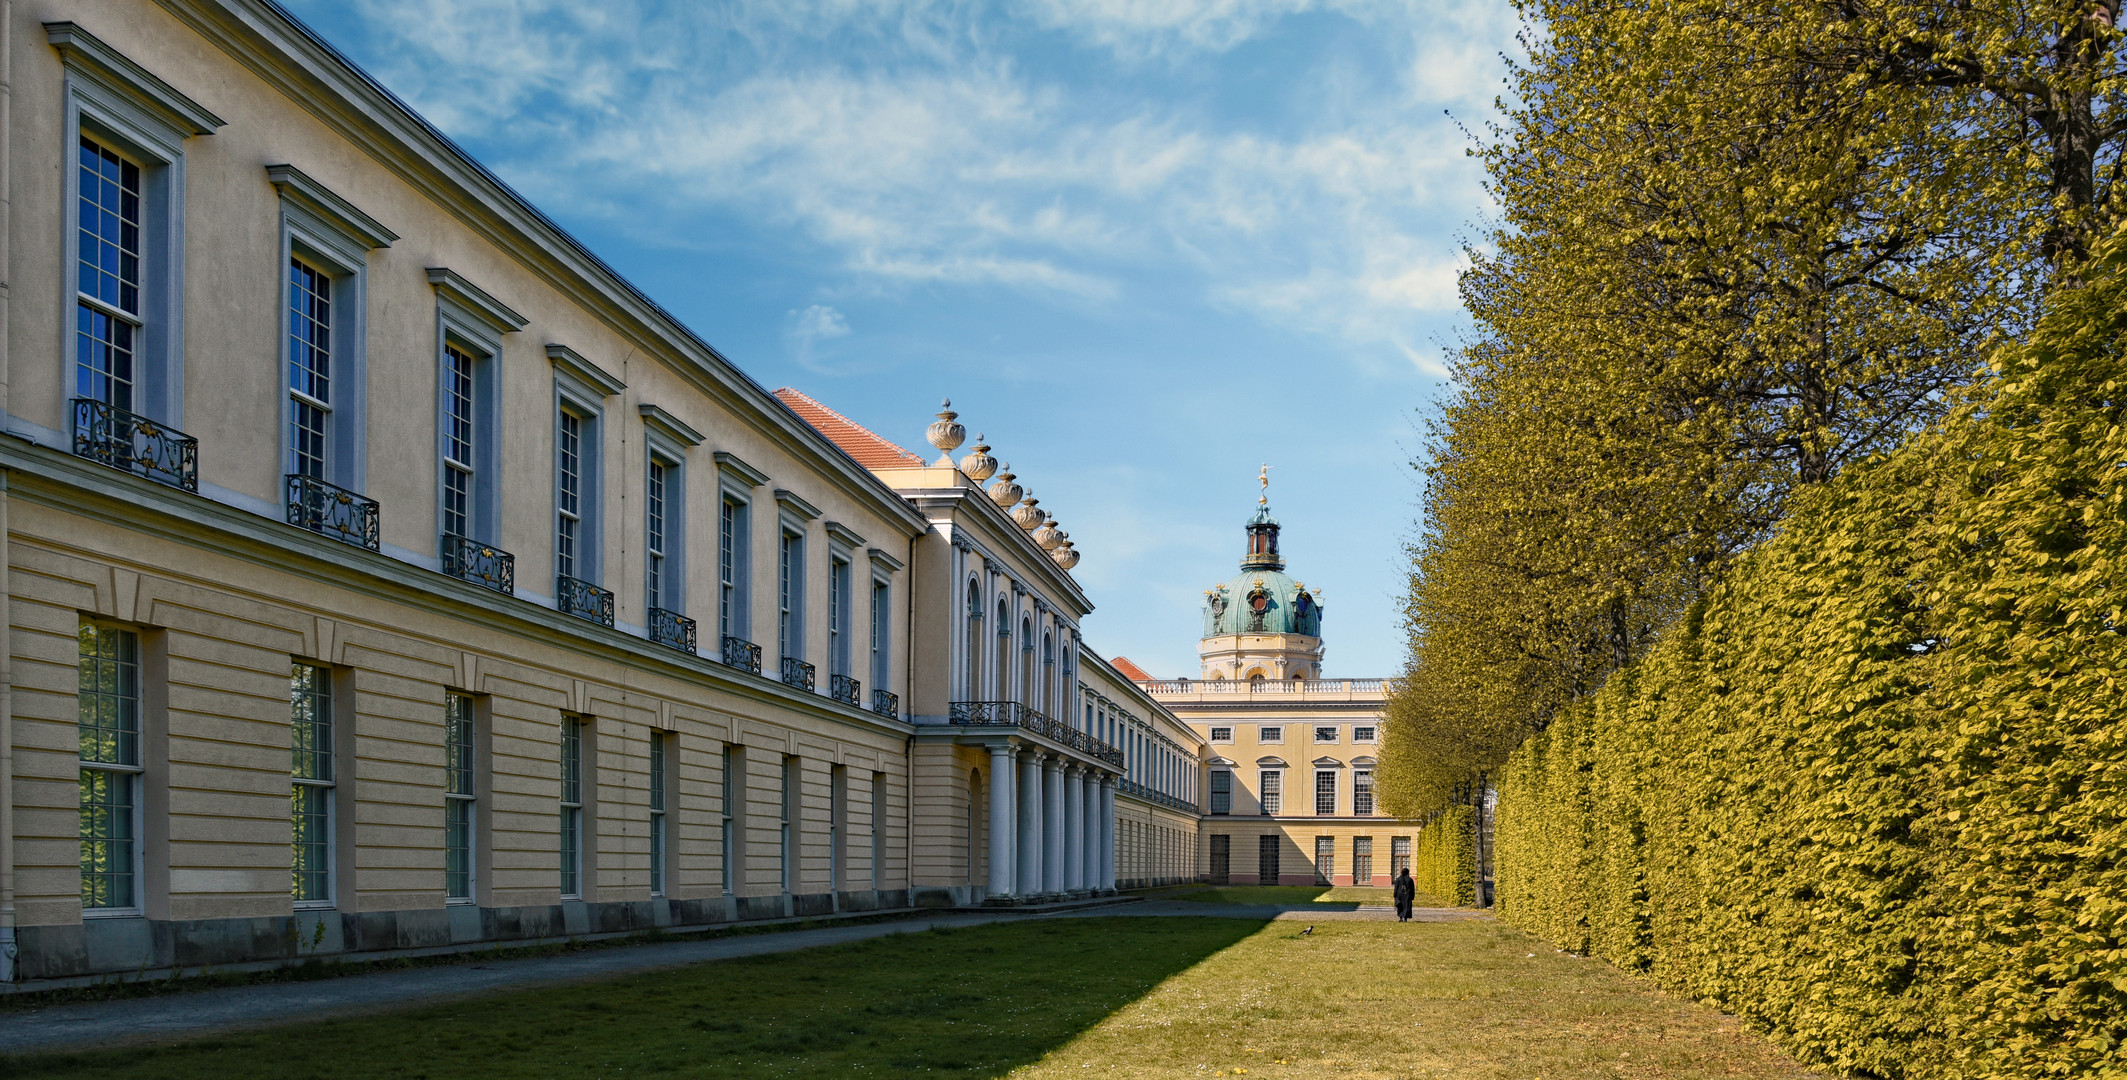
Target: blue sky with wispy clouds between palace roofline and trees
[(1143, 246)]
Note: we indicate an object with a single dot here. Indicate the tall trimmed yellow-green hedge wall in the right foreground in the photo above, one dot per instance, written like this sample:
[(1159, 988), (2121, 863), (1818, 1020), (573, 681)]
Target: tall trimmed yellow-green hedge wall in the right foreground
[(1873, 792)]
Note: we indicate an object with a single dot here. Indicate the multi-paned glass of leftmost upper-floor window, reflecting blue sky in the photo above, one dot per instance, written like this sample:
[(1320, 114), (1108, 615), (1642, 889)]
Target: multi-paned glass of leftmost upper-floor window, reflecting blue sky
[(107, 286)]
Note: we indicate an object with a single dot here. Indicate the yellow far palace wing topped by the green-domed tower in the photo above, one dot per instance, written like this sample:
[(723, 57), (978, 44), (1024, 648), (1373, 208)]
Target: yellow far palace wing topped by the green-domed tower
[(1288, 794)]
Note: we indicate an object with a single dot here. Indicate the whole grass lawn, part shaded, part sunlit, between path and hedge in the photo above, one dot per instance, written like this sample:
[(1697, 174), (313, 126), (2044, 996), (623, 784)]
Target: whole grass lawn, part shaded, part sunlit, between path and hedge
[(1037, 1000)]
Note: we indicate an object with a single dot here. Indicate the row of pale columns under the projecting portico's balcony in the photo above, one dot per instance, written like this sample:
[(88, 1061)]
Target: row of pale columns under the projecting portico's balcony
[(1052, 824)]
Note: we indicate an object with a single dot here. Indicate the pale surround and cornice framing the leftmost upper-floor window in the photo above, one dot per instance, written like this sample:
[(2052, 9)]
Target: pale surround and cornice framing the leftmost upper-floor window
[(133, 112)]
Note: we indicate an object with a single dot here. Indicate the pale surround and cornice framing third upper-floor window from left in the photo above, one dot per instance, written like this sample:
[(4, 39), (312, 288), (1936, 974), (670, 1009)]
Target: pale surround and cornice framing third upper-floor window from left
[(475, 324)]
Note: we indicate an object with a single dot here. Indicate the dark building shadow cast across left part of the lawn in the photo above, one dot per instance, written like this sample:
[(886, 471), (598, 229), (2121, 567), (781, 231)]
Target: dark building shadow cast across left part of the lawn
[(962, 1002)]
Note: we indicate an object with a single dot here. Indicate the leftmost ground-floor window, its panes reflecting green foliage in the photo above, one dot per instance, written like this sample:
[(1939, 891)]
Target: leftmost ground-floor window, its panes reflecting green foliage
[(110, 722)]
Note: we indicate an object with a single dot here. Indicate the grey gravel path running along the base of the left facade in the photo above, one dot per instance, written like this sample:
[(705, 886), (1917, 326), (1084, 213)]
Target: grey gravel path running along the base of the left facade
[(80, 1026)]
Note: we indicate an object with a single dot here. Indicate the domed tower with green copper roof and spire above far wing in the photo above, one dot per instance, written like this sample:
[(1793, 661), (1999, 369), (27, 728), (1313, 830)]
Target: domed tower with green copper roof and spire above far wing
[(1262, 624)]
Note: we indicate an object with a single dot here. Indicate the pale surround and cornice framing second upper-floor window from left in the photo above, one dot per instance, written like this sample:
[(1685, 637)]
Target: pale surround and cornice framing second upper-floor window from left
[(335, 237)]
